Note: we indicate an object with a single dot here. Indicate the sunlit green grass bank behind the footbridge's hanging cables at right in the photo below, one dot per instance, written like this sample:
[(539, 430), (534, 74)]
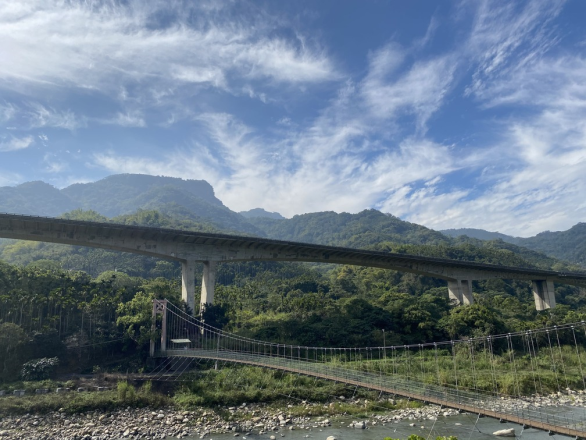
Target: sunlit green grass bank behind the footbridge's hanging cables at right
[(508, 373)]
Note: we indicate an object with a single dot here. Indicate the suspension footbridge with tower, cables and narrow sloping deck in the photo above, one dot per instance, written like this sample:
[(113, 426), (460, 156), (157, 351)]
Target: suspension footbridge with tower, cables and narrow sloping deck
[(485, 376)]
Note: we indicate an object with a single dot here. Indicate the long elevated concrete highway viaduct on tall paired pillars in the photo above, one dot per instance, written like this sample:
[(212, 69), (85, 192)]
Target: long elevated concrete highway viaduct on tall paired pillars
[(191, 248)]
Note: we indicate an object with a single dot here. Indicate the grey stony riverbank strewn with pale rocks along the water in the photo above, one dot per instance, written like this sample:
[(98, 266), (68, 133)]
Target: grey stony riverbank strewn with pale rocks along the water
[(133, 423)]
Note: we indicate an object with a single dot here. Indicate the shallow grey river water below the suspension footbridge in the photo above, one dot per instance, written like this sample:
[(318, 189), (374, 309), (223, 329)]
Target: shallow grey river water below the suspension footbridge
[(463, 426)]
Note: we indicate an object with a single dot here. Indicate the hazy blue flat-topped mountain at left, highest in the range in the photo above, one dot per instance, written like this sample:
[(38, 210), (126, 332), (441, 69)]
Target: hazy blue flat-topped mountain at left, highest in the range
[(125, 194)]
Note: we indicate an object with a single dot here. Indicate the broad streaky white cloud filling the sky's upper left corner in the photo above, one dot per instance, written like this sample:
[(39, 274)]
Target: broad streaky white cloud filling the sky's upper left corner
[(98, 45)]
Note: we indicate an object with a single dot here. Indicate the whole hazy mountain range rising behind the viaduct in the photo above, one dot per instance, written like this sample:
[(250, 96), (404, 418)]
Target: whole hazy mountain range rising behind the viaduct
[(194, 201)]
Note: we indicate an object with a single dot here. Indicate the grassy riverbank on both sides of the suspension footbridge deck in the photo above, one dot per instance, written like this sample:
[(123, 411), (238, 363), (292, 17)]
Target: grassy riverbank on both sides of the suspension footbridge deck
[(232, 385)]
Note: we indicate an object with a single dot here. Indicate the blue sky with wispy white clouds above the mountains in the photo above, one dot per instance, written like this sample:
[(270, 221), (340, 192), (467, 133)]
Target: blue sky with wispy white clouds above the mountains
[(448, 114)]
